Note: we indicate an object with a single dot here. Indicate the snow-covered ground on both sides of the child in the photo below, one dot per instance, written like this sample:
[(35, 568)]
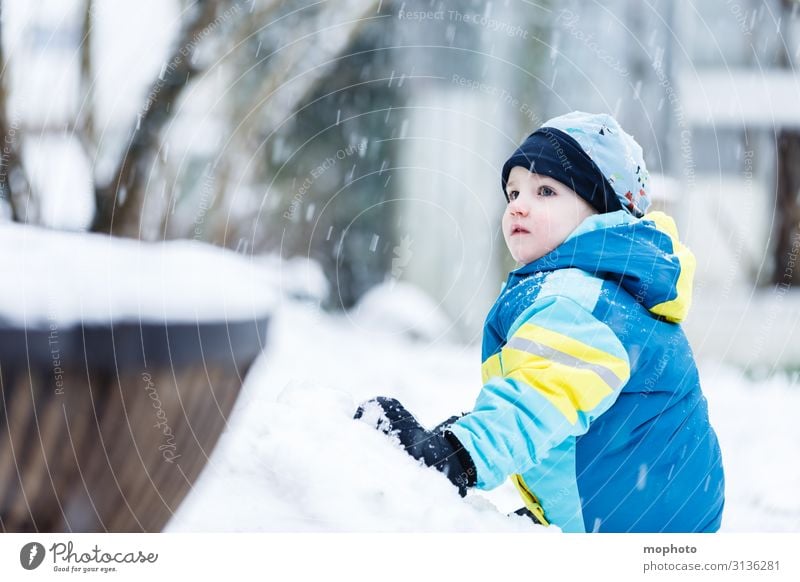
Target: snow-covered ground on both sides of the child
[(293, 460)]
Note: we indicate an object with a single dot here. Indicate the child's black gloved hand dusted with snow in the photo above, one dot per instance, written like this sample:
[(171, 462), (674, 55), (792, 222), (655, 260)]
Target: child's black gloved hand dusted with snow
[(437, 448)]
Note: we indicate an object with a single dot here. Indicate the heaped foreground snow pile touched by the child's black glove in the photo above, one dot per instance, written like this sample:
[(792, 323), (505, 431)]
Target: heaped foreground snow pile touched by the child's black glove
[(320, 470)]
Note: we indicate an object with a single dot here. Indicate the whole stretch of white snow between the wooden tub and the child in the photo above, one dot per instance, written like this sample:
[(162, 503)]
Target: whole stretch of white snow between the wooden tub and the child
[(293, 458)]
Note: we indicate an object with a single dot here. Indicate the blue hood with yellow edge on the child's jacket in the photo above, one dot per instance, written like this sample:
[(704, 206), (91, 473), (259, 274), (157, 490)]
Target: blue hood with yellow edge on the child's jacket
[(643, 255)]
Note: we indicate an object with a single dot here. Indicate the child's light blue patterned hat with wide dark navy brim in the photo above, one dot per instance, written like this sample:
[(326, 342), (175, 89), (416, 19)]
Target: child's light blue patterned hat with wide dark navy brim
[(593, 155)]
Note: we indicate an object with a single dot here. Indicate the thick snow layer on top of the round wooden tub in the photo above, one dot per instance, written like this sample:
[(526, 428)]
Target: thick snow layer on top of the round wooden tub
[(62, 277)]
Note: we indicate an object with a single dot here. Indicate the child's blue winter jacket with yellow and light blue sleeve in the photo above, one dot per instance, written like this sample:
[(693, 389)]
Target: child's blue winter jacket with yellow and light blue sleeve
[(591, 400)]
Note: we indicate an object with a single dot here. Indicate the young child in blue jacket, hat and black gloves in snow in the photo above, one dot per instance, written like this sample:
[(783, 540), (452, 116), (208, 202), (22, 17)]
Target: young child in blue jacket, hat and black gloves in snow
[(591, 401)]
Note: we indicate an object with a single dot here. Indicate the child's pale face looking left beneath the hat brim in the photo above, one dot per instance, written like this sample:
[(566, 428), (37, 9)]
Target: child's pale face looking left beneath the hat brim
[(540, 215)]
